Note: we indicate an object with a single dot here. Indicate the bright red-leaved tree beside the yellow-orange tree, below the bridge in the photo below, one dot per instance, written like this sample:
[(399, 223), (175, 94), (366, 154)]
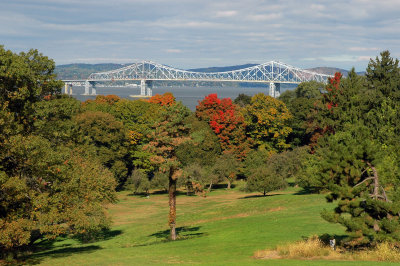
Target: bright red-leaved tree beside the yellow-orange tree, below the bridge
[(227, 122)]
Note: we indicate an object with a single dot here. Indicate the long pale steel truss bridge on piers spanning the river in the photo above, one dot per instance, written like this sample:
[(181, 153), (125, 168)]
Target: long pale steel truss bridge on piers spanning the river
[(272, 73)]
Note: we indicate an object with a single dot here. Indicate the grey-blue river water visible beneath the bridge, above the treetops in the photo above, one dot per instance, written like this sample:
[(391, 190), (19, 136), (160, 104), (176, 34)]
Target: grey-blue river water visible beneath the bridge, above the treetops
[(188, 95)]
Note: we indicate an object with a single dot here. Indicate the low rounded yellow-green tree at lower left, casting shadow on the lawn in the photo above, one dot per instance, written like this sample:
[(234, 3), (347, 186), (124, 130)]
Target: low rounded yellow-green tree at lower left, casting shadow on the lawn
[(50, 191)]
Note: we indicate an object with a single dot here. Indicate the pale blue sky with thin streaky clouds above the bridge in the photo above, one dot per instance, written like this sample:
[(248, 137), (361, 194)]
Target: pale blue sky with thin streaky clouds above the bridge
[(200, 33)]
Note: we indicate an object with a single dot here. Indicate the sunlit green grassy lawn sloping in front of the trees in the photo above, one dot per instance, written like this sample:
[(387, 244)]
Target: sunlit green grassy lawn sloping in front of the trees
[(226, 227)]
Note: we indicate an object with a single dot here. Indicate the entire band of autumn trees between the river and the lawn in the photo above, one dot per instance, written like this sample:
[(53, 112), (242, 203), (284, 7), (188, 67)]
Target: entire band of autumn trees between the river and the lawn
[(62, 160)]
